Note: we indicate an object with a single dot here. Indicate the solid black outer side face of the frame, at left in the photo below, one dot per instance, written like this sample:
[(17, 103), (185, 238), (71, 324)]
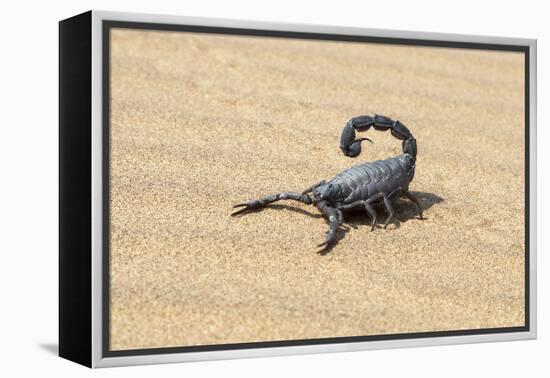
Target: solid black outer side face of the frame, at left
[(75, 194)]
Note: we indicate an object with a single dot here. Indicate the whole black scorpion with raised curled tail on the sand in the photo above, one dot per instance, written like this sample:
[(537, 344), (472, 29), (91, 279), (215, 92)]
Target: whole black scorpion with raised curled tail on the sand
[(361, 186)]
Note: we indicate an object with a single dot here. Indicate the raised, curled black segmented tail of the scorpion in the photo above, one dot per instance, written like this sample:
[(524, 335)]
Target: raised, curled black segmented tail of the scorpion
[(351, 147)]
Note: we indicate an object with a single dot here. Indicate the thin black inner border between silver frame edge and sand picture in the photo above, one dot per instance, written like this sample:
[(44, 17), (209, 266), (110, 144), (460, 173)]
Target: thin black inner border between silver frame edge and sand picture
[(107, 25)]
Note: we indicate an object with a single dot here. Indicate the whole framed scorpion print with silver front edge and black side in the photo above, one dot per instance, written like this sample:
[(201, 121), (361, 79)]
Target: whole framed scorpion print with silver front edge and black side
[(236, 189)]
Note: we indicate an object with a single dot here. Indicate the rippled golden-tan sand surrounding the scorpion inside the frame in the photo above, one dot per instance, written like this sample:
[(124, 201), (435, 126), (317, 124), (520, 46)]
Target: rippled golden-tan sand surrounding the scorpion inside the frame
[(202, 122)]
